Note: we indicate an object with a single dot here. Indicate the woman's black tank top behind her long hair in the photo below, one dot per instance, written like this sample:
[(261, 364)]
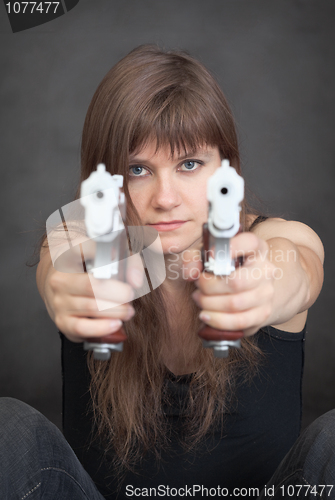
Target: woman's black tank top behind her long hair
[(259, 430)]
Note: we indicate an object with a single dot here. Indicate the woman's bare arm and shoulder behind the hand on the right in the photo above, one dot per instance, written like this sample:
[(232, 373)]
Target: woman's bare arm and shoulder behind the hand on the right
[(297, 252)]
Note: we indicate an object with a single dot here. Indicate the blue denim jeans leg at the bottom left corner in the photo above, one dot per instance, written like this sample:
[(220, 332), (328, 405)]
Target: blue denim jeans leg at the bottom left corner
[(36, 461)]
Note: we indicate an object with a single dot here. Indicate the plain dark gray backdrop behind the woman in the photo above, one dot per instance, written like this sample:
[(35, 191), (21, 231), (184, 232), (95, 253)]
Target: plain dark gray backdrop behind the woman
[(275, 62)]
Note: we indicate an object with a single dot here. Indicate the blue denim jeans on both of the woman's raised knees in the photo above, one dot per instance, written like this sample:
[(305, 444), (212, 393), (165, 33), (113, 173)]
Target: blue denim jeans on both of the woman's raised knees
[(36, 462)]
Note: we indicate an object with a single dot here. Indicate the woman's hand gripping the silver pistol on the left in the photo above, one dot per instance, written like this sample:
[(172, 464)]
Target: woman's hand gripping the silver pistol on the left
[(72, 304)]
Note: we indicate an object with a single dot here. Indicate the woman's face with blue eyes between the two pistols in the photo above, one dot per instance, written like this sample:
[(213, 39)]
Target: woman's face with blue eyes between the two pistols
[(169, 193)]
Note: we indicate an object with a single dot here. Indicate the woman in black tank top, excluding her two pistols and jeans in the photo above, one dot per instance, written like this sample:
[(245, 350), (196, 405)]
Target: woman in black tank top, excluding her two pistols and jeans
[(165, 412)]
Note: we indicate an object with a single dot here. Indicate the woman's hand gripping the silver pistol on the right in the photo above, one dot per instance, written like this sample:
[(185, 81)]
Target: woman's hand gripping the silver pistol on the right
[(244, 299)]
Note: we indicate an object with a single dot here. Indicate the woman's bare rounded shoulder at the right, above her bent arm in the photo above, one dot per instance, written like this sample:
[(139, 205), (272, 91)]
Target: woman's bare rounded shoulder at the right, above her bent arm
[(297, 232)]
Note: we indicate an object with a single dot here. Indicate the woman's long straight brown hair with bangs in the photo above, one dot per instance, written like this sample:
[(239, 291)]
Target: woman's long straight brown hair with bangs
[(172, 99)]
